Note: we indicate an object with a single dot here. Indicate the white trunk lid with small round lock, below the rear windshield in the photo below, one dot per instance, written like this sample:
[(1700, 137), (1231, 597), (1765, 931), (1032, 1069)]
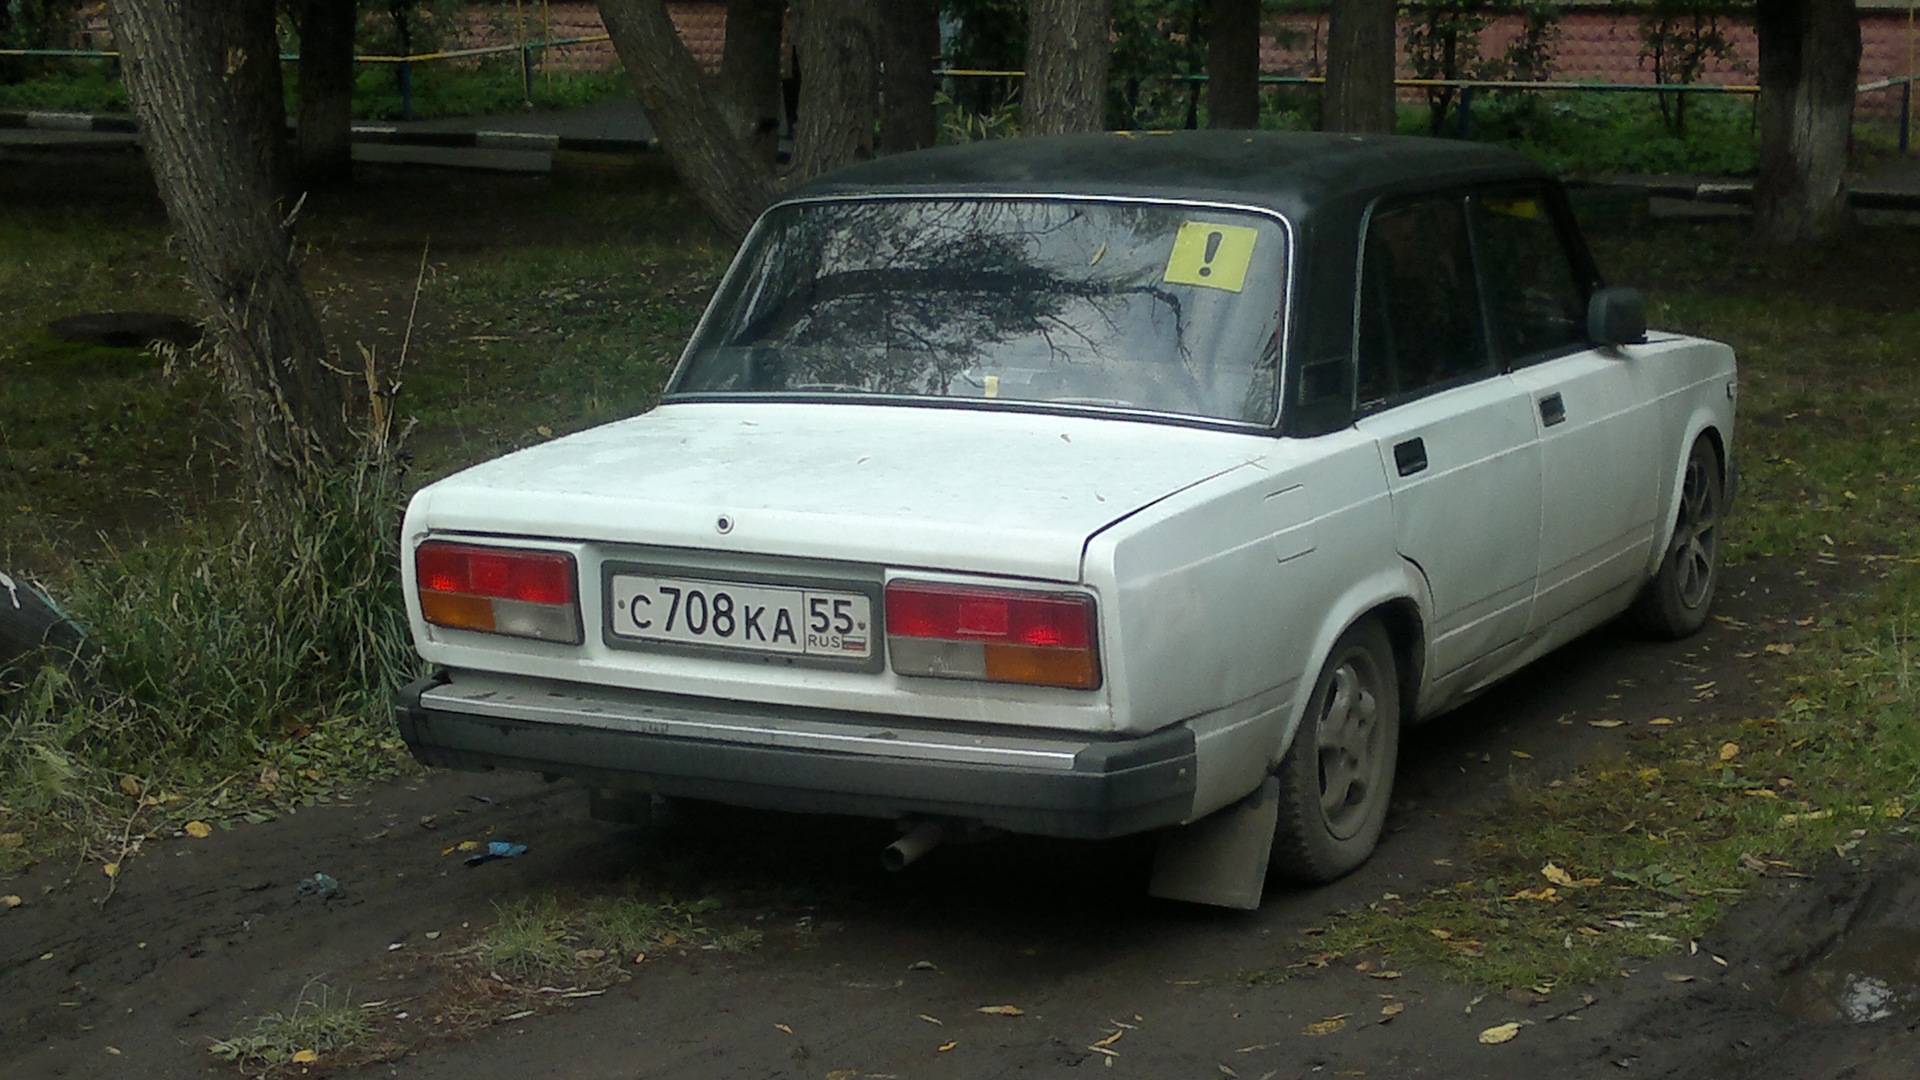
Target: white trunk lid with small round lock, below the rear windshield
[(974, 491)]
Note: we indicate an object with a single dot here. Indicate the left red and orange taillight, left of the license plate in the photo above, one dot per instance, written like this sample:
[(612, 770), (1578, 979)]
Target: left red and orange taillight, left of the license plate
[(500, 591)]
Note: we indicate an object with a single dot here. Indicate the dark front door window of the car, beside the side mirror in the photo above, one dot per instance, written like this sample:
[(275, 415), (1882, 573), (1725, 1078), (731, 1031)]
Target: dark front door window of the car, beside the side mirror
[(1535, 295)]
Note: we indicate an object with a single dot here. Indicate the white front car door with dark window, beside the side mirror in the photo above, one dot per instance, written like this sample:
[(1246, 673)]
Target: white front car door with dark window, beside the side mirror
[(1598, 451)]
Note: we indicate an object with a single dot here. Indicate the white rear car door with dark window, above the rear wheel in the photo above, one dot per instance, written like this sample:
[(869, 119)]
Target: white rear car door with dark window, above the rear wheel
[(1454, 433)]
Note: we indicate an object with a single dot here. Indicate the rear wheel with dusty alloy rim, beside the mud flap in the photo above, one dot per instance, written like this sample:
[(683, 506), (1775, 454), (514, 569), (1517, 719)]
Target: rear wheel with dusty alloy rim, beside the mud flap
[(1339, 773)]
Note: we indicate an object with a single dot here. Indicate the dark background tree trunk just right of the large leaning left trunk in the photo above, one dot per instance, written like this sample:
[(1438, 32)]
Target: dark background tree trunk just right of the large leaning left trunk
[(324, 143)]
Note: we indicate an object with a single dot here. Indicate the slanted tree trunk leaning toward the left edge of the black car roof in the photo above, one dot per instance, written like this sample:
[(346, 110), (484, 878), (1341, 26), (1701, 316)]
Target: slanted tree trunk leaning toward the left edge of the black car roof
[(729, 182)]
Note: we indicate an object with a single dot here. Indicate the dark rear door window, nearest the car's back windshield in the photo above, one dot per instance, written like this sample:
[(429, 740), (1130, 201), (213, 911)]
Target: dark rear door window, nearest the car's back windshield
[(1420, 312)]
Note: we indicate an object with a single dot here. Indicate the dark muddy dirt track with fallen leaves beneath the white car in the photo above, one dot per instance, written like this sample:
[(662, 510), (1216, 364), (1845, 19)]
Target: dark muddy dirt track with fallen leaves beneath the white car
[(873, 975)]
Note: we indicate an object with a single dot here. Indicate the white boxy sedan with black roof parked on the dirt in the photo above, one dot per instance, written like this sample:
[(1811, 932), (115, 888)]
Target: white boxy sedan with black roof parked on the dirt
[(1086, 487)]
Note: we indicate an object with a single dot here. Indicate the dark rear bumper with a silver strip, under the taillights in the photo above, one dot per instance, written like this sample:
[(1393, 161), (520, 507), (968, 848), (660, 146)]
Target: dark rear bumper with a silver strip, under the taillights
[(798, 760)]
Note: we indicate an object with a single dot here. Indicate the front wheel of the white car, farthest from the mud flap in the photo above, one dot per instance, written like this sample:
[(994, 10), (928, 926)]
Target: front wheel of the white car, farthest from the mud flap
[(1675, 602)]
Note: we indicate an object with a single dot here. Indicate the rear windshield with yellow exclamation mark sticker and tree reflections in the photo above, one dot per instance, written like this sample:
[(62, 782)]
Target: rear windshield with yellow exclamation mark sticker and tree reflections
[(1005, 303)]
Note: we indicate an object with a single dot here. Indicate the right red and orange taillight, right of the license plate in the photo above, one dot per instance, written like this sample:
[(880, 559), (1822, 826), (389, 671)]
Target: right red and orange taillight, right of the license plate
[(997, 635)]
